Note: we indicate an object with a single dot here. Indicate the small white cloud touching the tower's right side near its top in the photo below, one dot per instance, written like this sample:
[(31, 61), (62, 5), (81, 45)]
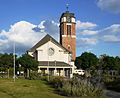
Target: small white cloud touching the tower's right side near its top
[(85, 25)]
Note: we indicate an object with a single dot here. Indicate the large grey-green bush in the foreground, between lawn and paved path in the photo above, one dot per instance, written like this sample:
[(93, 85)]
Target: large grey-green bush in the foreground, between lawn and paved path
[(77, 88)]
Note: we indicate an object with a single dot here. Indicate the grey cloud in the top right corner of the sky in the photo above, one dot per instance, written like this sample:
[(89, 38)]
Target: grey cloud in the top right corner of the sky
[(109, 5)]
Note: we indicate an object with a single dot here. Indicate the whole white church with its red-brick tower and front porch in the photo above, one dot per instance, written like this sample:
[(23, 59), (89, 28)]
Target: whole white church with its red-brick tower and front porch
[(57, 58)]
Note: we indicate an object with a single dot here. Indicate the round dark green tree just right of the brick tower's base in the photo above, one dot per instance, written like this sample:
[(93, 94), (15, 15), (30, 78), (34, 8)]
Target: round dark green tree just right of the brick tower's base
[(87, 60)]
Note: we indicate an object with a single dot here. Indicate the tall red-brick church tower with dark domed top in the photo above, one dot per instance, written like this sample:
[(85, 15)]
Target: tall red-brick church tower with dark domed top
[(68, 32)]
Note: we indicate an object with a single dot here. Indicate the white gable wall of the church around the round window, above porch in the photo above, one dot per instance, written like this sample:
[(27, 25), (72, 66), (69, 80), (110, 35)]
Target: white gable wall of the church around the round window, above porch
[(59, 54)]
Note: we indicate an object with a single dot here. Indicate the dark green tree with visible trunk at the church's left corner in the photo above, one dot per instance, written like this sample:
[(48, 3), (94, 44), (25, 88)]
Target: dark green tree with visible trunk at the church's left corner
[(28, 63)]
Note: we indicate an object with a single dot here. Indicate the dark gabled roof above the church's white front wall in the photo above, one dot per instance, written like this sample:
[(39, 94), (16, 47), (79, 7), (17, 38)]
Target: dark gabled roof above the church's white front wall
[(45, 40)]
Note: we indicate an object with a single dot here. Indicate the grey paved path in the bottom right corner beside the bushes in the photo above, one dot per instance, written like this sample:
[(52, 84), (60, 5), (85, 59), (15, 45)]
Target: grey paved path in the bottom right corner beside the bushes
[(112, 94)]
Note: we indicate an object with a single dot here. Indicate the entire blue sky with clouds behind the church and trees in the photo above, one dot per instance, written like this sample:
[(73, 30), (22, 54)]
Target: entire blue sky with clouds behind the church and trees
[(25, 22)]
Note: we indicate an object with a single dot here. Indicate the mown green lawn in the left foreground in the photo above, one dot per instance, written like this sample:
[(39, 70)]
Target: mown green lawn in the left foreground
[(26, 89)]
